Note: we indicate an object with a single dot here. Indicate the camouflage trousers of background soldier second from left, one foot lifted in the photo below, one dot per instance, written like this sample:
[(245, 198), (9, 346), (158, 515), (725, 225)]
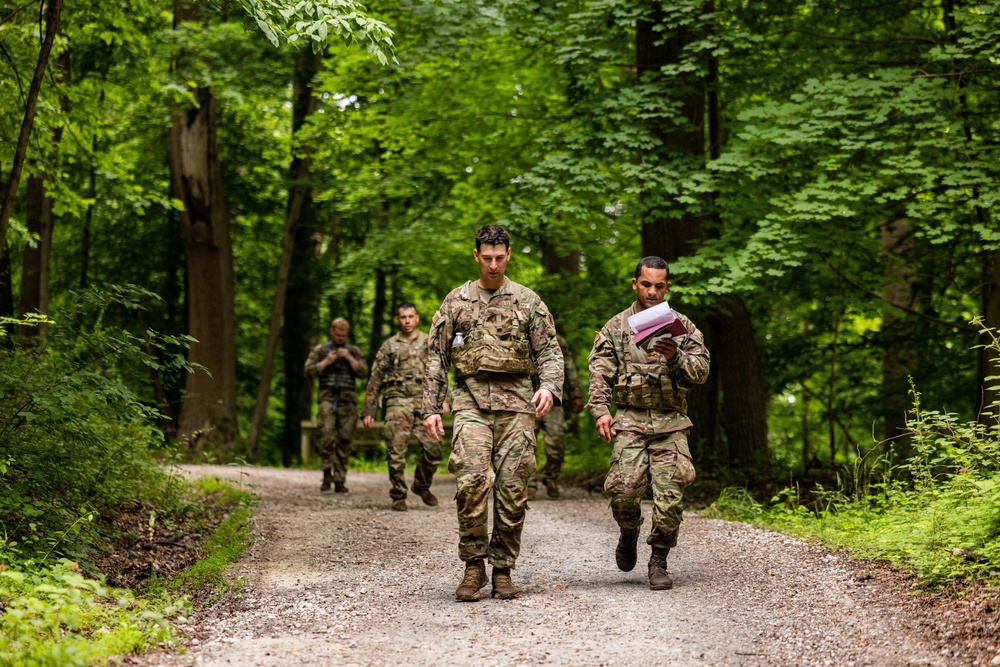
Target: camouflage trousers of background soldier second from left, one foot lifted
[(400, 423)]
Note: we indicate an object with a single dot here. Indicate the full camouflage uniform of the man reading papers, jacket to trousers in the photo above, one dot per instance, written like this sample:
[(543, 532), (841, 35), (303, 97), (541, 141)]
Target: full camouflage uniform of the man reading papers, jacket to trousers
[(651, 423)]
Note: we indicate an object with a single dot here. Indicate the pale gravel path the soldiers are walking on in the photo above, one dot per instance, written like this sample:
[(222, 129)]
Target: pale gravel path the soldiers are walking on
[(339, 579)]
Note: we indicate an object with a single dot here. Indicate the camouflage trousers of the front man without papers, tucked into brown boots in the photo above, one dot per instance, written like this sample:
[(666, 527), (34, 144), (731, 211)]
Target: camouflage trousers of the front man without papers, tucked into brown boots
[(493, 452)]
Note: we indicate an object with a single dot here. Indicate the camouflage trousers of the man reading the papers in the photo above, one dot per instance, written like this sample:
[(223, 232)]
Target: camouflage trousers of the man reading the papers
[(638, 461)]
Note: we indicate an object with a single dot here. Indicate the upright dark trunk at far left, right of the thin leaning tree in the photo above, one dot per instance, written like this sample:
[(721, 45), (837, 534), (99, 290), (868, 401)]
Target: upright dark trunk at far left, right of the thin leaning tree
[(34, 294)]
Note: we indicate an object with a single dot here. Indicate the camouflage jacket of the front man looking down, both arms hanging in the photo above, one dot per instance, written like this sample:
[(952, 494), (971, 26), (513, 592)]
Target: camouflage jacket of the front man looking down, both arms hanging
[(513, 312)]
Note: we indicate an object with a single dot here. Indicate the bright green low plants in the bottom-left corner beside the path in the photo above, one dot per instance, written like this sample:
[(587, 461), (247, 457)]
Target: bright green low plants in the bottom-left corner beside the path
[(57, 616)]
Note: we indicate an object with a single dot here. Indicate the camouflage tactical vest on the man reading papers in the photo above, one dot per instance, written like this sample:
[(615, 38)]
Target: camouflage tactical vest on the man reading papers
[(649, 386)]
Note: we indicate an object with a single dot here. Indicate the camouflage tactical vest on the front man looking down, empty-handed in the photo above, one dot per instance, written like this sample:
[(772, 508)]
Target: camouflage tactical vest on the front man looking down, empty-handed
[(494, 339)]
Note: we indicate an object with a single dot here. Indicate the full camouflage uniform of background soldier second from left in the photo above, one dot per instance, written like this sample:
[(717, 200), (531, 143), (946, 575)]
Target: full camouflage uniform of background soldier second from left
[(398, 373)]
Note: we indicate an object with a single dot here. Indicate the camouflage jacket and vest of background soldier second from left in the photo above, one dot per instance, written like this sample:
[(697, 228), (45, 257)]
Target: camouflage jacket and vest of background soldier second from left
[(398, 371)]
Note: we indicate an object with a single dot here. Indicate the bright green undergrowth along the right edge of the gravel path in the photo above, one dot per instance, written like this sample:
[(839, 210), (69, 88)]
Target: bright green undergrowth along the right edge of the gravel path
[(936, 513)]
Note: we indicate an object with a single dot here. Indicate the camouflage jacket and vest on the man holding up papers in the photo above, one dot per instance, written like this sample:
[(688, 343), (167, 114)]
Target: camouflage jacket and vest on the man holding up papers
[(651, 392)]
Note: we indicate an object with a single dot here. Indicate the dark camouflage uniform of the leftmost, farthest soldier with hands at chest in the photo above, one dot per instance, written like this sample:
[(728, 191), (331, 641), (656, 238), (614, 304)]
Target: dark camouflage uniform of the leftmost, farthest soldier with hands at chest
[(338, 408)]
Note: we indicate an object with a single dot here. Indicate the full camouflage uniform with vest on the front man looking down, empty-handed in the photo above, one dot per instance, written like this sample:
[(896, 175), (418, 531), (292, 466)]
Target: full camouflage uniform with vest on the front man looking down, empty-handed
[(493, 448)]
